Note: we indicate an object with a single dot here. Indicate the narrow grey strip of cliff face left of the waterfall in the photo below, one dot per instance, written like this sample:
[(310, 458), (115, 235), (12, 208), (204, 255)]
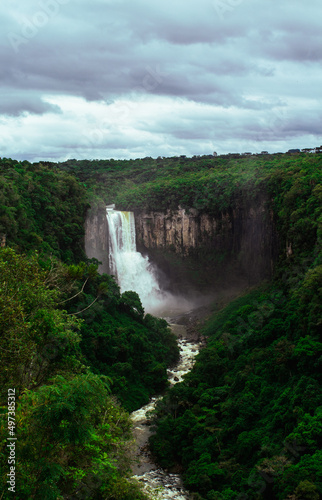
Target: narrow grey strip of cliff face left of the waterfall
[(96, 238)]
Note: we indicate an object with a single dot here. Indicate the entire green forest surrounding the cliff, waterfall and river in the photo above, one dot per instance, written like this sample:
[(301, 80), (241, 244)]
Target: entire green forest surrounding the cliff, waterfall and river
[(246, 421)]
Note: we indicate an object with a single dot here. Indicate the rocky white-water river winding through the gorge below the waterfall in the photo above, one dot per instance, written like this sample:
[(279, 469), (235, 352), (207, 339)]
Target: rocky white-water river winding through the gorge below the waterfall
[(157, 483)]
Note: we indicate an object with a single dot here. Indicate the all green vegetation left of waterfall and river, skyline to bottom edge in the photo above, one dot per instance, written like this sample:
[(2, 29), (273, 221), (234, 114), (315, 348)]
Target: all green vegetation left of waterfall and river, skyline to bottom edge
[(72, 347)]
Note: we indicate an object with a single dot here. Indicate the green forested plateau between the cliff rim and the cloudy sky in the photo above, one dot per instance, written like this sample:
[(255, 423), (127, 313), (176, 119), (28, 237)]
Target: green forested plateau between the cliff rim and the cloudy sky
[(211, 184)]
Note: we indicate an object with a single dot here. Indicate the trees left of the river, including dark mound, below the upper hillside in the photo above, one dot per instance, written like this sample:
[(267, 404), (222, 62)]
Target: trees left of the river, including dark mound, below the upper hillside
[(73, 436)]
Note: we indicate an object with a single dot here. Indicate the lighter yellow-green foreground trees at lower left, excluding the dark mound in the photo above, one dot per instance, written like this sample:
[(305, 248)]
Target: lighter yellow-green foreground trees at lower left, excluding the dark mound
[(72, 436)]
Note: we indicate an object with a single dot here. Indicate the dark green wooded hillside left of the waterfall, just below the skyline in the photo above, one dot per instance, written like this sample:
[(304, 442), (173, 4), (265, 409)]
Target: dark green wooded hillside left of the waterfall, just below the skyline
[(42, 208)]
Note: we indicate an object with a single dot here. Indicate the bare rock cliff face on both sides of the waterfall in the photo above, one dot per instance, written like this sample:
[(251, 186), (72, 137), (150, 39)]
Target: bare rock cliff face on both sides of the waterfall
[(198, 251)]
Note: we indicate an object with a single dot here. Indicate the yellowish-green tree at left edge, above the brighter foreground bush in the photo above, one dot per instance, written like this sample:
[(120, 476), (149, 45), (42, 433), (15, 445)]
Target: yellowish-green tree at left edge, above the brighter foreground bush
[(33, 331)]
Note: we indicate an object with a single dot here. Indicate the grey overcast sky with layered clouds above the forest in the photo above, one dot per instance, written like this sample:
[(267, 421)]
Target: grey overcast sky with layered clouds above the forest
[(125, 79)]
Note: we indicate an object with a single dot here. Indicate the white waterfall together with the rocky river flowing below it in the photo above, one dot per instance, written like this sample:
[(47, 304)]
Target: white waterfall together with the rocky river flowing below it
[(135, 272)]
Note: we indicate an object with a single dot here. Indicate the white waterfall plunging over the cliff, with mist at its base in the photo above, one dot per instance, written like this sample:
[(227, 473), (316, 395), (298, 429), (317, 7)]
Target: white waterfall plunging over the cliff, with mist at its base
[(134, 272)]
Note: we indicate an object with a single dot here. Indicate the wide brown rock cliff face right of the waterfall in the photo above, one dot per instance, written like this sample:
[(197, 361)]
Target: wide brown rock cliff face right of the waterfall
[(241, 244)]
